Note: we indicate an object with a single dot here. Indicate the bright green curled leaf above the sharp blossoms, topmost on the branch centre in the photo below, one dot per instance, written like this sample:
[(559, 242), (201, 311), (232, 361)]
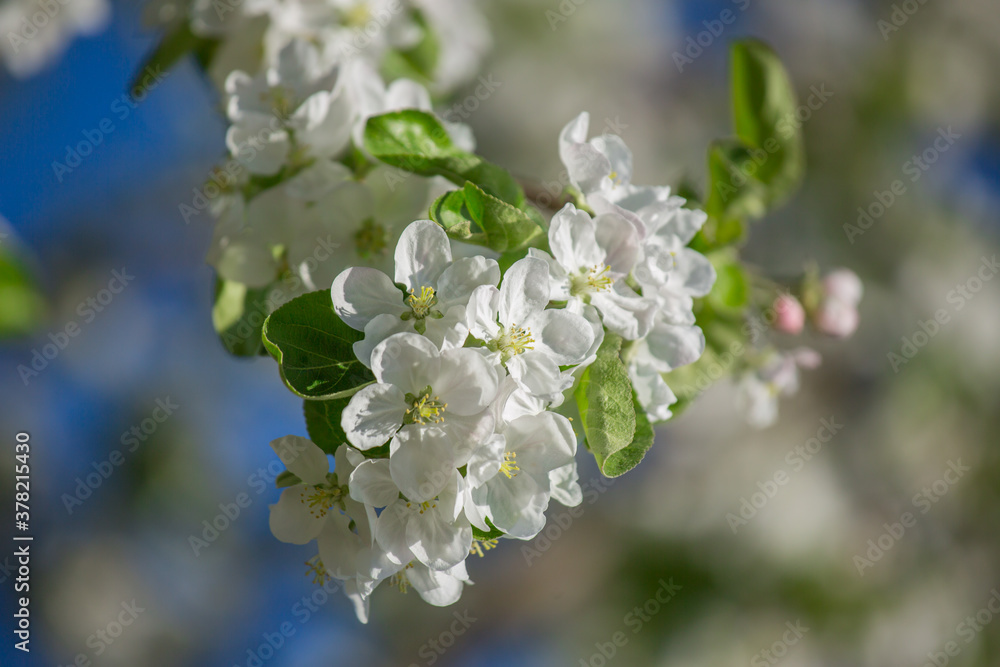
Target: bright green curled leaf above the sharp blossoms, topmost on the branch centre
[(417, 142)]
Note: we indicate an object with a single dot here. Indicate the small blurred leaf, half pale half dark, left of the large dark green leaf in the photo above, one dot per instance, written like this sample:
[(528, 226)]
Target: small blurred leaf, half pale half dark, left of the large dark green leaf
[(238, 316)]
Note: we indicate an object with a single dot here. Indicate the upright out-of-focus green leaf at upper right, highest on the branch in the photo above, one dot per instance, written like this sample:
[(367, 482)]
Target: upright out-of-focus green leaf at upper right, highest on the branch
[(764, 106)]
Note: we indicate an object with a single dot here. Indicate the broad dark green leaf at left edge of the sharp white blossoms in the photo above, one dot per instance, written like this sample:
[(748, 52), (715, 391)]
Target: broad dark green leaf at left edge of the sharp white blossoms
[(314, 348)]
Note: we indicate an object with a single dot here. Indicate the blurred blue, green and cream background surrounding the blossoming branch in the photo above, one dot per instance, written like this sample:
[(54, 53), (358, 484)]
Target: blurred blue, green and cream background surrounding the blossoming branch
[(813, 571)]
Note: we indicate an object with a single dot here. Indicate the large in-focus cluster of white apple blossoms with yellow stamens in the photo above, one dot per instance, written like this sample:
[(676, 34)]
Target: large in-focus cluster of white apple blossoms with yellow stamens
[(456, 442)]
